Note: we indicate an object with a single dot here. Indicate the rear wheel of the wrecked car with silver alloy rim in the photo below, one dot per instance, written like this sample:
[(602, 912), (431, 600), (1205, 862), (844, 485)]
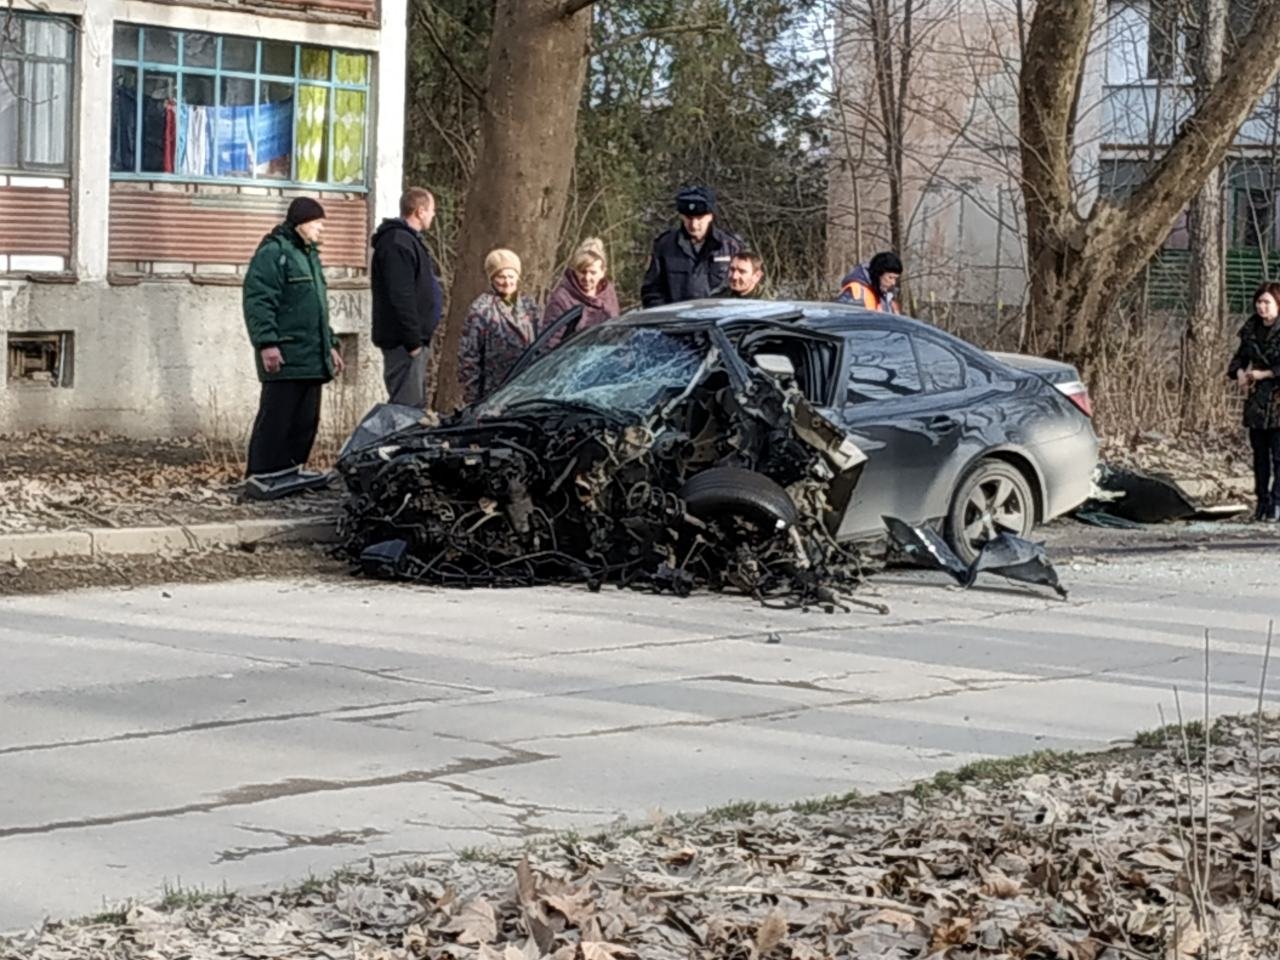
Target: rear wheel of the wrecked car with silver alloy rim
[(991, 499)]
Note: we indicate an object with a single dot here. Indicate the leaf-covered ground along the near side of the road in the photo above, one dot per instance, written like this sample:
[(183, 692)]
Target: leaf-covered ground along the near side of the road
[(1164, 853)]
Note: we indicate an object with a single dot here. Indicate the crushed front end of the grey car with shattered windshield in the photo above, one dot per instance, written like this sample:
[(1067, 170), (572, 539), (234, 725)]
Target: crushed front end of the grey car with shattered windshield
[(637, 456)]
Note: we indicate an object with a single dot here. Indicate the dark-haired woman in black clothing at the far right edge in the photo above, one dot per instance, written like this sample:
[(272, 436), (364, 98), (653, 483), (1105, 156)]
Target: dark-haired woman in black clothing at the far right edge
[(1255, 368)]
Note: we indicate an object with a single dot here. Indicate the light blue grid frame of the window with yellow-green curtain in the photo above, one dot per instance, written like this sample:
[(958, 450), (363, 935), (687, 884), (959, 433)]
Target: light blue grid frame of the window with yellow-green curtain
[(141, 68)]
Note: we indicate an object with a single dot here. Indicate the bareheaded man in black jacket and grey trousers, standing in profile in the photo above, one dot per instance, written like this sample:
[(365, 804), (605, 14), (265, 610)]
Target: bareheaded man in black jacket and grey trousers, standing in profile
[(406, 298)]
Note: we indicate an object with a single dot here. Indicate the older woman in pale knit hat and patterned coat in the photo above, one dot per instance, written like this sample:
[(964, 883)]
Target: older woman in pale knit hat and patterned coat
[(499, 328)]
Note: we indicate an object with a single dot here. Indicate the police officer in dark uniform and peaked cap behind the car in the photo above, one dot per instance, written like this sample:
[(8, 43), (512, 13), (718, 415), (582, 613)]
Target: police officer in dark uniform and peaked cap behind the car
[(689, 262)]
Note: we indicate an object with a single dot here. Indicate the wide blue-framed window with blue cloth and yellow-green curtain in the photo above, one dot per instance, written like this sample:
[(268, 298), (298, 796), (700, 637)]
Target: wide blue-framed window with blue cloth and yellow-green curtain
[(198, 107)]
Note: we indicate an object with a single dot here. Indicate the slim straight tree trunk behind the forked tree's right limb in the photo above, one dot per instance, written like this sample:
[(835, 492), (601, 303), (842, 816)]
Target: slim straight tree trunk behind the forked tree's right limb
[(1203, 346)]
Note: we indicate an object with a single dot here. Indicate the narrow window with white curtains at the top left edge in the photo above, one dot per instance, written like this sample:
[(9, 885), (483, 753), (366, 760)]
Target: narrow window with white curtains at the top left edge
[(35, 93)]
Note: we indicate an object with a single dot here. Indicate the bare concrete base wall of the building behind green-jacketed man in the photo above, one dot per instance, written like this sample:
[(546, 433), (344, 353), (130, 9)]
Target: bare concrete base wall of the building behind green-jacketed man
[(164, 360)]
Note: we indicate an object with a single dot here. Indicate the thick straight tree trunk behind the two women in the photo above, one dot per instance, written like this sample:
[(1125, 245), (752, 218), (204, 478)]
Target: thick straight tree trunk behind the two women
[(524, 158)]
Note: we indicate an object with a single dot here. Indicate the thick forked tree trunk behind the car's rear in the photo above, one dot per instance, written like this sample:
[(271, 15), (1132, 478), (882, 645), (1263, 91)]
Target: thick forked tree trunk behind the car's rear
[(1081, 264)]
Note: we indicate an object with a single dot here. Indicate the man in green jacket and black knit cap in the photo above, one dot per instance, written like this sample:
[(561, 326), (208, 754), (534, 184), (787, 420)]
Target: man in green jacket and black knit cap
[(287, 316)]
